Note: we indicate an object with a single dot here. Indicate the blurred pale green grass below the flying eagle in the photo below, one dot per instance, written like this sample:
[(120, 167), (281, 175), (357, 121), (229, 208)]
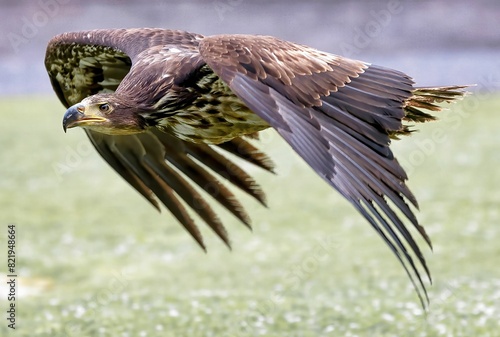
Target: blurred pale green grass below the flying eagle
[(94, 259)]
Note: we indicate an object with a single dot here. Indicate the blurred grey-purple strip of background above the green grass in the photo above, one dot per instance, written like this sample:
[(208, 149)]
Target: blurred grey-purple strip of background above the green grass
[(437, 42)]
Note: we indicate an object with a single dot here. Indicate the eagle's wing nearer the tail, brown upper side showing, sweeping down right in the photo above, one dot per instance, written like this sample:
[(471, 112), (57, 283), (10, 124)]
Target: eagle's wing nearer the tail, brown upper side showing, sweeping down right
[(337, 114)]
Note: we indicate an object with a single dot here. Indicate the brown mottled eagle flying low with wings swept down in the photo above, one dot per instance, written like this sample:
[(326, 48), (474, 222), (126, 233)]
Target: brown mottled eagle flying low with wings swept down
[(169, 110)]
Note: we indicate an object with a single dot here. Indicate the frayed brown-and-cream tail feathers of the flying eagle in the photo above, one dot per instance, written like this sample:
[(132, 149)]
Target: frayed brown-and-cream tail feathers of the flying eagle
[(428, 98)]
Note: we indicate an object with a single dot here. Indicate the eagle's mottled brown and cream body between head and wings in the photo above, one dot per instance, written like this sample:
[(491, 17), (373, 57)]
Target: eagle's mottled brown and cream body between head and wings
[(190, 101)]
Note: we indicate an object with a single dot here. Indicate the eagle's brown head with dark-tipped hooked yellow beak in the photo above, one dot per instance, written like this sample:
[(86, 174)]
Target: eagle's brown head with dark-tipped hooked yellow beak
[(104, 113)]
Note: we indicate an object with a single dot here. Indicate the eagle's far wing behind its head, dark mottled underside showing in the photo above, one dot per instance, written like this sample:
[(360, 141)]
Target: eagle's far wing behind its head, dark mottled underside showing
[(157, 165)]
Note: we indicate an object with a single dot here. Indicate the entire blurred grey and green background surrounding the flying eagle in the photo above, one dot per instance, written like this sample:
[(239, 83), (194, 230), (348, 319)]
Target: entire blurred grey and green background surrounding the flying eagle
[(96, 260)]
